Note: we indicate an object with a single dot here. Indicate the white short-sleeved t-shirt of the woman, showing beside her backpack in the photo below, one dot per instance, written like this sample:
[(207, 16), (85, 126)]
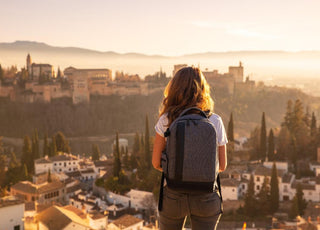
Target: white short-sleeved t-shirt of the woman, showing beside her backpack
[(162, 126)]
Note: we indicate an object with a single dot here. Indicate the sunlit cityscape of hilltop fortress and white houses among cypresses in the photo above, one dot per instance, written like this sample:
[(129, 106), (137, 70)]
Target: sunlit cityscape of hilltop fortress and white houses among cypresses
[(51, 187)]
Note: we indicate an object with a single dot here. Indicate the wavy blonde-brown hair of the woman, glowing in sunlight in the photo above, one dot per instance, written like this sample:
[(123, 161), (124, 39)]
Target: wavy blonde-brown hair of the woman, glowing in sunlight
[(188, 88)]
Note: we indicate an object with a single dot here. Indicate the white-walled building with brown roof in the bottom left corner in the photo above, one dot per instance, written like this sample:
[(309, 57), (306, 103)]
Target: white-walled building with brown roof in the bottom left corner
[(11, 213)]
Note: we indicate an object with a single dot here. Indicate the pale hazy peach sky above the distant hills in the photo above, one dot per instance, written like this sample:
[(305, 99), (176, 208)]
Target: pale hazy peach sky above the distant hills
[(167, 27)]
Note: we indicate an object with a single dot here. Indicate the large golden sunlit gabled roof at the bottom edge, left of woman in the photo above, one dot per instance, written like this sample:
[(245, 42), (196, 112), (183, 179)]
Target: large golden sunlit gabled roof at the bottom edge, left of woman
[(57, 218)]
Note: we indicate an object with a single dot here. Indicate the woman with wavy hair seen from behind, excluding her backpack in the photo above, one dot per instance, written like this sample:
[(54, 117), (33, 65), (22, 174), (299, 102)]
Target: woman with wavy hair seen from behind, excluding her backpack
[(188, 88)]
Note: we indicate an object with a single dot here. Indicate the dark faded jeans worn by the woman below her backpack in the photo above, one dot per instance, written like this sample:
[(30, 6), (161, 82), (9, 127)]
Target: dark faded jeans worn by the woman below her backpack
[(204, 210)]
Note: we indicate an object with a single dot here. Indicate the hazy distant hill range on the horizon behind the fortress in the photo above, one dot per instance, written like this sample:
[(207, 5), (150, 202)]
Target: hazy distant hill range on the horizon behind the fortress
[(258, 65)]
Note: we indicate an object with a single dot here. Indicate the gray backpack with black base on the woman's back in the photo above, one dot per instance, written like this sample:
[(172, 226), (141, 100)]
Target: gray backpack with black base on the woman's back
[(190, 161)]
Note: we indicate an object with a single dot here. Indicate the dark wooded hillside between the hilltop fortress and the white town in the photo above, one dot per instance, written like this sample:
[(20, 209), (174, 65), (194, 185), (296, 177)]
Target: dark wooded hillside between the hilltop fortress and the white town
[(107, 114)]
